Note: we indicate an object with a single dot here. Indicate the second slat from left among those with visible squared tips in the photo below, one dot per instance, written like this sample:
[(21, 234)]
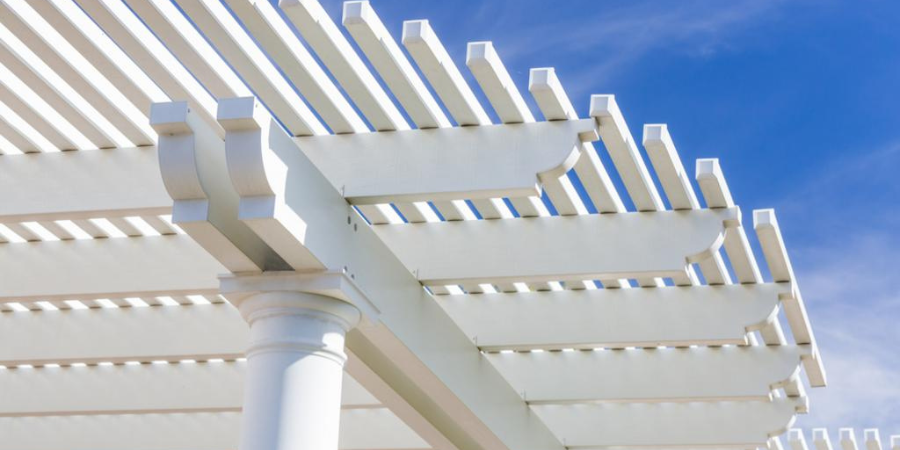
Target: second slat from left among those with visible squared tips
[(441, 72)]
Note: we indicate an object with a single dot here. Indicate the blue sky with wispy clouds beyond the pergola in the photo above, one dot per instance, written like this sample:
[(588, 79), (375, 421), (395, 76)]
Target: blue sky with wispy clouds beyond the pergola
[(796, 98)]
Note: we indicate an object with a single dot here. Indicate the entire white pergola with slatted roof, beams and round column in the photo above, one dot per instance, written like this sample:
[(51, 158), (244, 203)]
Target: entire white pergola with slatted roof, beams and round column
[(172, 171)]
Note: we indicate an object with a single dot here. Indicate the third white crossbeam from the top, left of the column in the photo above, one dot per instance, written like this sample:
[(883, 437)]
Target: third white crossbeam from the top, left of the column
[(119, 335)]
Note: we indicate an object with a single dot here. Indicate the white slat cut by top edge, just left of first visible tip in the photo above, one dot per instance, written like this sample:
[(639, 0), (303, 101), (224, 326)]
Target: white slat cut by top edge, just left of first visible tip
[(345, 65)]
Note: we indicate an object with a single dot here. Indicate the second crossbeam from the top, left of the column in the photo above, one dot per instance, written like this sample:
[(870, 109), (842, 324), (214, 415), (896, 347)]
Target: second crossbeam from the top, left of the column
[(134, 267)]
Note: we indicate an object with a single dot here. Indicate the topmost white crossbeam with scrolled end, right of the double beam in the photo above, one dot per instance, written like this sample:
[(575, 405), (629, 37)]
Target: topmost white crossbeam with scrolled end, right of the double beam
[(448, 164)]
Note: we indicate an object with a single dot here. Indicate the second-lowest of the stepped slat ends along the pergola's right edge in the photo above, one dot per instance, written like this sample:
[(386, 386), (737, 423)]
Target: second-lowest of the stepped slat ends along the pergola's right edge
[(717, 195)]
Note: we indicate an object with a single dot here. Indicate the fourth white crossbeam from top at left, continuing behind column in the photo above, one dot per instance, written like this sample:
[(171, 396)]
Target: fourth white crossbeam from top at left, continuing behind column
[(216, 386)]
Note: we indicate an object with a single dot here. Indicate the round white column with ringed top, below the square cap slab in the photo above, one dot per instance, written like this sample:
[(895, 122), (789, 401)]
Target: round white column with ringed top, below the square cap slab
[(295, 361)]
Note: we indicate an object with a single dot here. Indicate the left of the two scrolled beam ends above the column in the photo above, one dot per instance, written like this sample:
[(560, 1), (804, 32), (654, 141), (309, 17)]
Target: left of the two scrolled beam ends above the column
[(190, 157)]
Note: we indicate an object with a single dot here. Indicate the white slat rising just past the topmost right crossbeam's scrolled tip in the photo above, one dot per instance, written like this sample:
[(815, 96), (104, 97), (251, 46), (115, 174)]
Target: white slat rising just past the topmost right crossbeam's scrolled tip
[(624, 153)]
